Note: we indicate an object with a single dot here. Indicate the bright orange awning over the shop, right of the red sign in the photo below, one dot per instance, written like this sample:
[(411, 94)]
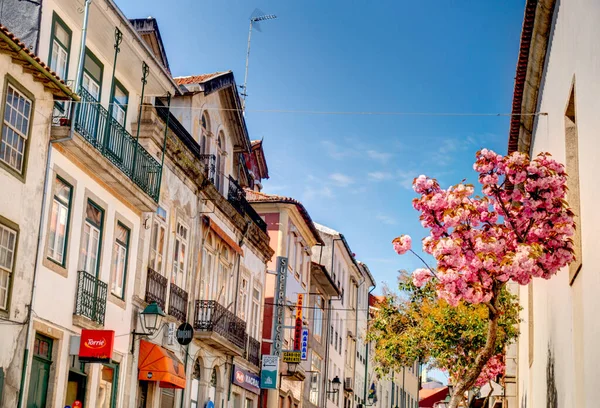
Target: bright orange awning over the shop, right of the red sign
[(159, 364)]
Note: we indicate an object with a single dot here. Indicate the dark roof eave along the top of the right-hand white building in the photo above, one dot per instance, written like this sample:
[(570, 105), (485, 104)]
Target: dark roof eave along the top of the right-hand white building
[(537, 23)]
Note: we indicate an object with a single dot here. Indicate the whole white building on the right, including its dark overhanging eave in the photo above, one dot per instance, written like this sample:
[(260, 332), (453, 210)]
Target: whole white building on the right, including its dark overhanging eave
[(557, 75)]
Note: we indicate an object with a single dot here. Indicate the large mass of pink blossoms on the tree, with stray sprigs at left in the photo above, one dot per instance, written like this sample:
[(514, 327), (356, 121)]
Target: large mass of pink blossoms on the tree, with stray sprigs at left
[(521, 228)]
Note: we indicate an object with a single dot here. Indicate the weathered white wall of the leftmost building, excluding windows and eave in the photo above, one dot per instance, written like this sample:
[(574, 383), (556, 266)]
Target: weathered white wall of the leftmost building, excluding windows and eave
[(20, 203)]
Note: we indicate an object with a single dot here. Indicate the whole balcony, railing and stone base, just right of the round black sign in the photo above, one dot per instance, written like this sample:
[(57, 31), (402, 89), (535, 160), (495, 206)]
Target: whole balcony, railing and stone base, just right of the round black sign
[(220, 328)]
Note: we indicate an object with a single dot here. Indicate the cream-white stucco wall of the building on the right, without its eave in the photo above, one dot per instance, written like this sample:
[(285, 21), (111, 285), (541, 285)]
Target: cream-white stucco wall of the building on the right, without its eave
[(564, 323)]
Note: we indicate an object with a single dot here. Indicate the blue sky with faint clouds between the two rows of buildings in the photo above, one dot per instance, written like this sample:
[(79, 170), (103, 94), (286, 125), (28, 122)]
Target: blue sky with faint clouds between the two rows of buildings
[(354, 172)]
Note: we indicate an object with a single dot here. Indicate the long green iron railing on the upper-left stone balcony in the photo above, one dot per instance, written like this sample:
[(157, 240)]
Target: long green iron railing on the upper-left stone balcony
[(93, 122)]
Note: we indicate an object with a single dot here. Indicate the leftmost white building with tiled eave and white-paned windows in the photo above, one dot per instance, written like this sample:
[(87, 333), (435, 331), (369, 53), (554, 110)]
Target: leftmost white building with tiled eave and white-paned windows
[(29, 91)]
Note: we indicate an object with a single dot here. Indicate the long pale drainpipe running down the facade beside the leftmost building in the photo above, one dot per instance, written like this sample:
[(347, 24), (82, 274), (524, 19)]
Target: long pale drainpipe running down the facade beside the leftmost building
[(44, 194)]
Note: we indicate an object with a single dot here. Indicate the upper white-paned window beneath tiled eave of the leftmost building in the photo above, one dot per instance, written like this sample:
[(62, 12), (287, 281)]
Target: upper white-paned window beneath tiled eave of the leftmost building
[(15, 129)]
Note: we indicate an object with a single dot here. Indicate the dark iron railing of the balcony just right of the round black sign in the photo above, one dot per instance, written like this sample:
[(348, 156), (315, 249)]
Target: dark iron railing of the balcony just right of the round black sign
[(211, 316)]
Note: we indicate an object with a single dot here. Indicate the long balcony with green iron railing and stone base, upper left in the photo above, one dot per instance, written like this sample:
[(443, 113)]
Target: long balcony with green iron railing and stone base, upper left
[(105, 144)]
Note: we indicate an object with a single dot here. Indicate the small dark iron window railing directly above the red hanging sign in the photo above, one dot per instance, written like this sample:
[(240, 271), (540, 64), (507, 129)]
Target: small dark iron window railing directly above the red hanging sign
[(90, 300)]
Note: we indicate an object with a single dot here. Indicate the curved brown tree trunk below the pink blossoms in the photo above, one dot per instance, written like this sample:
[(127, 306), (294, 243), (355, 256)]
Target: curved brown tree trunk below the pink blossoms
[(465, 383)]
